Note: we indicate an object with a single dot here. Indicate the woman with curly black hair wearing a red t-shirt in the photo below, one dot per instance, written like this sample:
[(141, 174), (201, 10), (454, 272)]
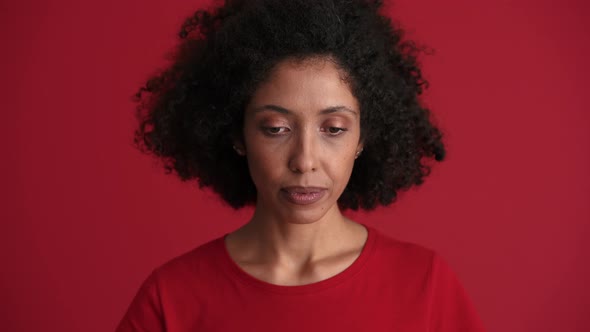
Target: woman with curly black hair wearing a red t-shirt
[(302, 108)]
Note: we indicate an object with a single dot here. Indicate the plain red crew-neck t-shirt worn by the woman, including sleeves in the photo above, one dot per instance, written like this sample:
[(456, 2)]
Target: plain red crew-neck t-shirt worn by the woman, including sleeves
[(392, 286)]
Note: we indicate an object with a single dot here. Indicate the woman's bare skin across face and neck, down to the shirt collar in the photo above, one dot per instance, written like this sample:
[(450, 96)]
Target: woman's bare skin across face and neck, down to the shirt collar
[(301, 130)]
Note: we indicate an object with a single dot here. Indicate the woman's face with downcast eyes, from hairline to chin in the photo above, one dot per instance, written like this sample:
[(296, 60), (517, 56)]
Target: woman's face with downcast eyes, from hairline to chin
[(301, 136)]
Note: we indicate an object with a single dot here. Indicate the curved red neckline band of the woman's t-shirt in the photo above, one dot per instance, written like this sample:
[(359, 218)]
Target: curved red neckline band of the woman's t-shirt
[(349, 273)]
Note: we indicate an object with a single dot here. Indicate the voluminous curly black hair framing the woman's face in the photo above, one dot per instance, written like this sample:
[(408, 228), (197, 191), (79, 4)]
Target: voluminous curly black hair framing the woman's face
[(191, 112)]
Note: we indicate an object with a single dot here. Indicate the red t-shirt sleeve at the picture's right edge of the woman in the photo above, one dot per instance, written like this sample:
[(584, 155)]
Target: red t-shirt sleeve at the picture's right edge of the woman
[(450, 308)]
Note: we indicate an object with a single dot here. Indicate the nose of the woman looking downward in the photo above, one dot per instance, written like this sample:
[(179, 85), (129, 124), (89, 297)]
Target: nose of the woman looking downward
[(304, 152)]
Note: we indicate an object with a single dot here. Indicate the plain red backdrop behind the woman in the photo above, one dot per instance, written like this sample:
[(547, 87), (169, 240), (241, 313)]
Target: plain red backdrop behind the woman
[(86, 217)]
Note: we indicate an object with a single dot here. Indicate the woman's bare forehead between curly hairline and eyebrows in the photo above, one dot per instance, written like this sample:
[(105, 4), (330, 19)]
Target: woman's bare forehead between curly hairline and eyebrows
[(309, 85)]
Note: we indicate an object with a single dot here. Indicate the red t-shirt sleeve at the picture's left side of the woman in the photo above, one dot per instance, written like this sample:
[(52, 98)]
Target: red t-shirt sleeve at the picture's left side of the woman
[(145, 311)]
